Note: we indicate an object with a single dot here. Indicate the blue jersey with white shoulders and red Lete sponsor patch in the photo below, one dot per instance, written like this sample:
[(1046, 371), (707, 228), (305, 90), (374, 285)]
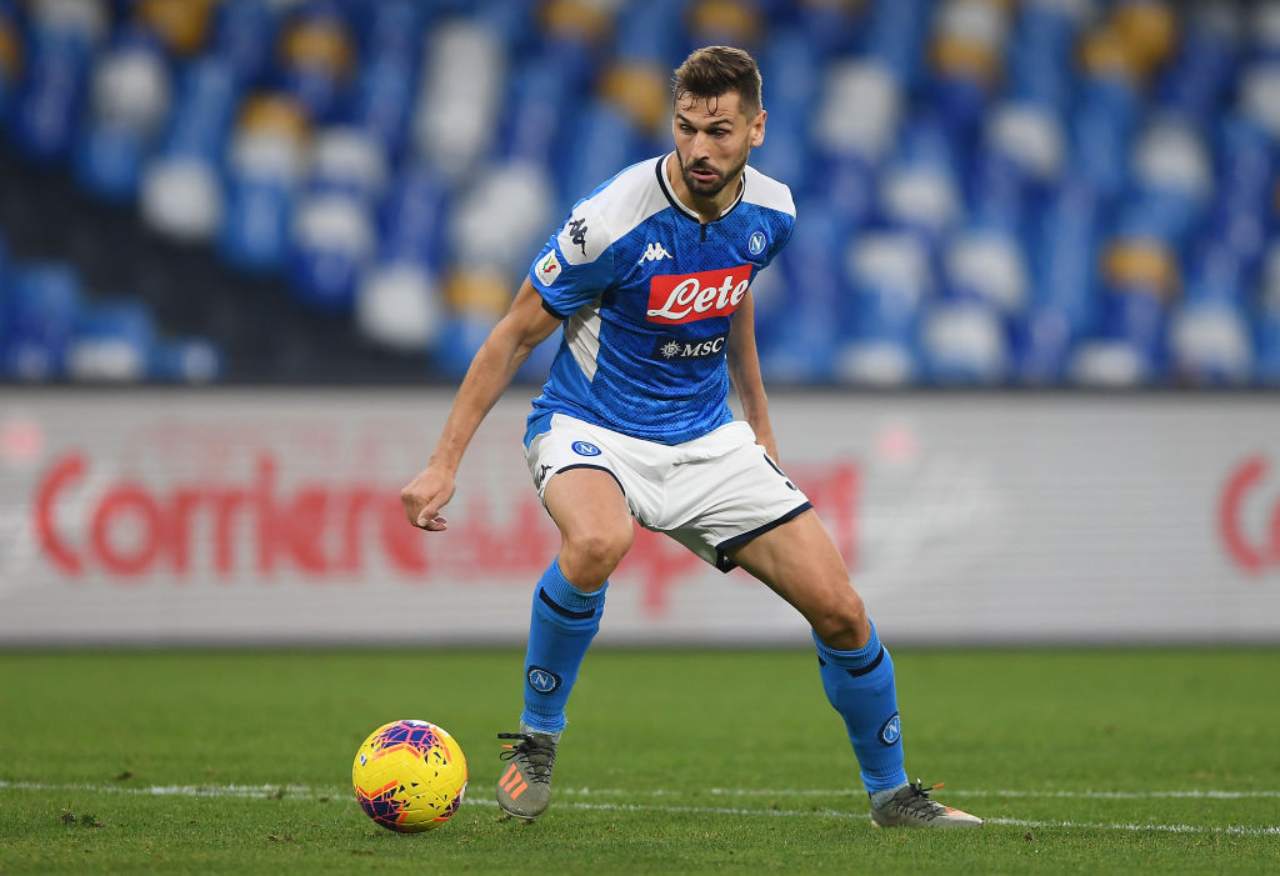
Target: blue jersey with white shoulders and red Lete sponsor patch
[(647, 293)]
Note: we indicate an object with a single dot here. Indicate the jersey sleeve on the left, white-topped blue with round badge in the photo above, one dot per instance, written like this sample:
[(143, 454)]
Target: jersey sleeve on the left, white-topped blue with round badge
[(575, 266)]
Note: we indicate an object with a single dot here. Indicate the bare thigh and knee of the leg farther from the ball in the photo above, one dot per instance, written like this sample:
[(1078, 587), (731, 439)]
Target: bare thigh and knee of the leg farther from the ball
[(801, 563)]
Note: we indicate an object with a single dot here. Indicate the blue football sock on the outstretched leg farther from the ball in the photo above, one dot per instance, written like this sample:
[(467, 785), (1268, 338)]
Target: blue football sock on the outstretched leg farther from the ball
[(861, 687)]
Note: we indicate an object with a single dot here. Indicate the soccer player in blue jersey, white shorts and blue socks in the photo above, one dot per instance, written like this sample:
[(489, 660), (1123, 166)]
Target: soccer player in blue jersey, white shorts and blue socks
[(651, 279)]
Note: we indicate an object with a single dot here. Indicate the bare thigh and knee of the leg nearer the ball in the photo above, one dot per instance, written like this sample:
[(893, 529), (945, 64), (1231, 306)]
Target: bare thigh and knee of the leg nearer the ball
[(591, 510)]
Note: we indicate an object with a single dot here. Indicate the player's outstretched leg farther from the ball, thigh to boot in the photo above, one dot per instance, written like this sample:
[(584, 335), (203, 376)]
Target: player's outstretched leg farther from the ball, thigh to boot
[(801, 563)]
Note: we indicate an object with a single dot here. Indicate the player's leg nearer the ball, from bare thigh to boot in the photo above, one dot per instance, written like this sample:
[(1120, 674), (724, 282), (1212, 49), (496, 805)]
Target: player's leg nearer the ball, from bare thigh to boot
[(592, 514)]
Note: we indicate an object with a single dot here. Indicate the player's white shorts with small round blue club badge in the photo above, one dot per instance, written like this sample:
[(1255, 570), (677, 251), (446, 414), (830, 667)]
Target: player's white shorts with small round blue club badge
[(712, 494)]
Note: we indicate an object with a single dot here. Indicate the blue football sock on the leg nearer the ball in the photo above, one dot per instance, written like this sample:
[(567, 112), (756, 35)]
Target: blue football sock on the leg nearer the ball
[(563, 627)]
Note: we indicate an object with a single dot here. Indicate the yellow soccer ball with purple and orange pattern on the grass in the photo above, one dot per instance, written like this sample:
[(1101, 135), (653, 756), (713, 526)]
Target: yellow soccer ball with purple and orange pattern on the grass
[(410, 777)]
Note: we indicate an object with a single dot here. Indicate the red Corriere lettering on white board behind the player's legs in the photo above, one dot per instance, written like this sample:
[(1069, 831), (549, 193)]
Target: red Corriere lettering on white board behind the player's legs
[(254, 528)]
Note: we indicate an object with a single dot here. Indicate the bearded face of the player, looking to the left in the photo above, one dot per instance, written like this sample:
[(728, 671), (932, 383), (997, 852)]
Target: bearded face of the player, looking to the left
[(714, 140)]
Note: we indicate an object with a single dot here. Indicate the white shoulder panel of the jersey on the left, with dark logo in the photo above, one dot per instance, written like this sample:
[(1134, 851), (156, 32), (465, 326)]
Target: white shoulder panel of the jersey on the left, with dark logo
[(612, 213)]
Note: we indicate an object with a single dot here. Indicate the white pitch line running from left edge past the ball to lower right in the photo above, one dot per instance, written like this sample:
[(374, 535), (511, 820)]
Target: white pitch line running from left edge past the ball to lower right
[(309, 793)]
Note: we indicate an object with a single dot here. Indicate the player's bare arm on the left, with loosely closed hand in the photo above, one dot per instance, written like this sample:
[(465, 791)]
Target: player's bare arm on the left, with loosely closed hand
[(509, 345)]
